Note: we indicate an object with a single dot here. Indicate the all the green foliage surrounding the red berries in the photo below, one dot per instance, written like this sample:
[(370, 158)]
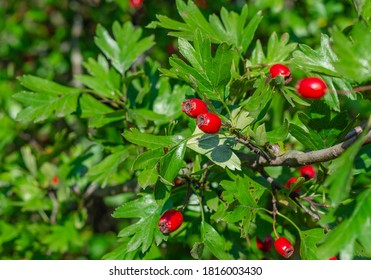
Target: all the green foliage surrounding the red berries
[(93, 163)]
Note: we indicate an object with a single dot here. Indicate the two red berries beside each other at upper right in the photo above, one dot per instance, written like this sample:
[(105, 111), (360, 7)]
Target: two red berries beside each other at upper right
[(310, 87)]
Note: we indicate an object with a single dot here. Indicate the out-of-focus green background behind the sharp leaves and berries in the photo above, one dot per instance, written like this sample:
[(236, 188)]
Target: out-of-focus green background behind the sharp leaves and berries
[(51, 39)]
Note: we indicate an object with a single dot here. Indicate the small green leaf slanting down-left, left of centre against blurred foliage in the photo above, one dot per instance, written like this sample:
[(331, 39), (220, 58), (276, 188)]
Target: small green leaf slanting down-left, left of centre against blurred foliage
[(103, 171)]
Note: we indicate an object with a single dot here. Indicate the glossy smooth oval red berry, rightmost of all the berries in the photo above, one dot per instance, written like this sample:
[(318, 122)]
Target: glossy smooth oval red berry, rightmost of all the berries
[(311, 87)]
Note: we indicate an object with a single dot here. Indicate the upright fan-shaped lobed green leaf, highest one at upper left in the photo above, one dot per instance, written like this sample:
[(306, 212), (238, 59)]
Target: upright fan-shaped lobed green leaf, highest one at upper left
[(125, 46)]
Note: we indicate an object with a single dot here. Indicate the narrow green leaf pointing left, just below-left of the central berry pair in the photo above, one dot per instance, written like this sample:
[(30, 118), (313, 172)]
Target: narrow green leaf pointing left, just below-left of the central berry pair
[(150, 141)]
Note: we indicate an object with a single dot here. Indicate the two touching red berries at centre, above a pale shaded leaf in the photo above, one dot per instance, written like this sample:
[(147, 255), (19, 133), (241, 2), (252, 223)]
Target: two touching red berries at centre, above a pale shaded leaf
[(206, 121)]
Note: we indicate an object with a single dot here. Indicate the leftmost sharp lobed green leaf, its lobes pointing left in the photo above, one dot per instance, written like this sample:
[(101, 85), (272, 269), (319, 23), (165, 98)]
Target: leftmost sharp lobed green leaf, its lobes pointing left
[(47, 99)]
